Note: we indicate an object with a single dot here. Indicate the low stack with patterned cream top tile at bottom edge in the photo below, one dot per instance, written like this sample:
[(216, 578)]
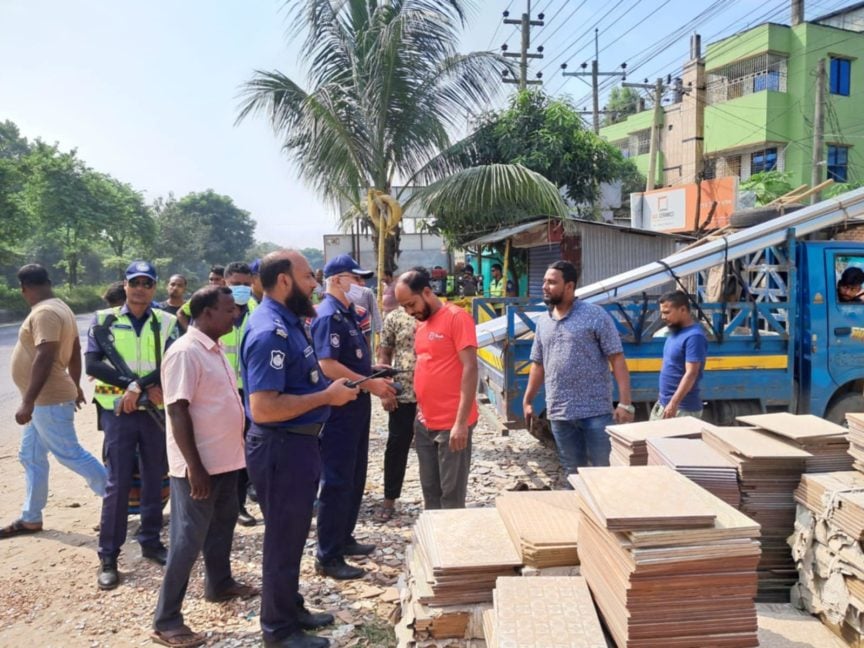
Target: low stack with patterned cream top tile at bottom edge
[(541, 613)]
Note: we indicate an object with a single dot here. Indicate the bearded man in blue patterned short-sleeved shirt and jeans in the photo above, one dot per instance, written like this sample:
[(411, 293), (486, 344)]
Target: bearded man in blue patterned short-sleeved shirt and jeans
[(574, 345)]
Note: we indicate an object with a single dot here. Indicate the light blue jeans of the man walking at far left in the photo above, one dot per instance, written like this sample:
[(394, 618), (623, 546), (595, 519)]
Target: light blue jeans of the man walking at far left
[(52, 429)]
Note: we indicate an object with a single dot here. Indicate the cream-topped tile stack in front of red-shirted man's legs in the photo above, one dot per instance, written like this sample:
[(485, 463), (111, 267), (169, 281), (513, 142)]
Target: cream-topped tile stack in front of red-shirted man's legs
[(460, 553)]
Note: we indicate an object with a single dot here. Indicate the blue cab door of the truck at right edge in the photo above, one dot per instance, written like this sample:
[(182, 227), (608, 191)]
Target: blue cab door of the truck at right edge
[(844, 327)]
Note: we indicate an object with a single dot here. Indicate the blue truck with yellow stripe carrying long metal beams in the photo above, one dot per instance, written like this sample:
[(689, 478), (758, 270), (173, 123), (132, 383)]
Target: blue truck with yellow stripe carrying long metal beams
[(780, 338)]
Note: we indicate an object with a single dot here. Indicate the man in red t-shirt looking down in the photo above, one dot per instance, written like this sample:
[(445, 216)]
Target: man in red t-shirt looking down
[(445, 383)]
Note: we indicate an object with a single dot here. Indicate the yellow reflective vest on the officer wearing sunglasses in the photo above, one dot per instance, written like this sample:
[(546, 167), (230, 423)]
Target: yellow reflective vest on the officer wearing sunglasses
[(139, 352)]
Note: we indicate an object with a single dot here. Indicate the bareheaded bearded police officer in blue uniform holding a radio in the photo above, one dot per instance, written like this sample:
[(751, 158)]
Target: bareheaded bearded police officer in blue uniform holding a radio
[(288, 400)]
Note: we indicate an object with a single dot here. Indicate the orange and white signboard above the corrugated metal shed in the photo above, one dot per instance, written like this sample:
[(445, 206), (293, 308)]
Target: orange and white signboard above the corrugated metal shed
[(673, 209)]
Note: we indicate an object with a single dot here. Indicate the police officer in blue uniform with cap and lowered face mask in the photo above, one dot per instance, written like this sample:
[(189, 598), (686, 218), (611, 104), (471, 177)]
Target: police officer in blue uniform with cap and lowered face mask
[(343, 353)]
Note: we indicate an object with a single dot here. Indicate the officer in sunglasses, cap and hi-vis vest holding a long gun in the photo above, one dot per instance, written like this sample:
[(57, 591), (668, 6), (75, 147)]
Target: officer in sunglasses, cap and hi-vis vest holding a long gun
[(140, 335)]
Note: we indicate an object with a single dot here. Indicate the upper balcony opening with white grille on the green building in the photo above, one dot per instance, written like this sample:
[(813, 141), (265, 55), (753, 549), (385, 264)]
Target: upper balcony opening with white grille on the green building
[(755, 74)]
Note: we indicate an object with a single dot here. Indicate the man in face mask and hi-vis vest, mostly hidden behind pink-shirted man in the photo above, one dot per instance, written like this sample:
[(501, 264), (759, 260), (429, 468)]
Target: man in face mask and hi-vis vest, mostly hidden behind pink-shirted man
[(238, 277)]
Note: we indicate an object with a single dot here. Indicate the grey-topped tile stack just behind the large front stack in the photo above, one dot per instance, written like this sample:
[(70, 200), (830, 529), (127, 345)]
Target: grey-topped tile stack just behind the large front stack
[(699, 462)]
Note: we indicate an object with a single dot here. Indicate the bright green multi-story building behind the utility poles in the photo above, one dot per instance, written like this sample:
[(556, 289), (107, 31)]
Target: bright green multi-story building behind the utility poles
[(753, 96)]
